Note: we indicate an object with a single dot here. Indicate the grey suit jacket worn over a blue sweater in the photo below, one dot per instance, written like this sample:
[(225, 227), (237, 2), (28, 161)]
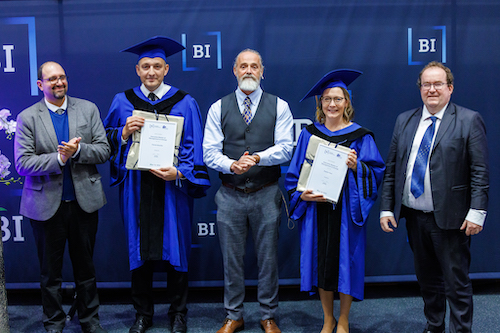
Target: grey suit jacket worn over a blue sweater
[(35, 152)]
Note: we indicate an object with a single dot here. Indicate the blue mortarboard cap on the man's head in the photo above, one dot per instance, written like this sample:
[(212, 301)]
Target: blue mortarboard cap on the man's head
[(158, 46)]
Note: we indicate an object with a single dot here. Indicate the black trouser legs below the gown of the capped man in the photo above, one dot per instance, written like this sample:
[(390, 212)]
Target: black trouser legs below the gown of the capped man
[(142, 289)]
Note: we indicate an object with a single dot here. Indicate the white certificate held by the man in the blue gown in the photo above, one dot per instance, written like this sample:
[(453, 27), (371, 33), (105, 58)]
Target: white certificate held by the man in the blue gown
[(157, 144)]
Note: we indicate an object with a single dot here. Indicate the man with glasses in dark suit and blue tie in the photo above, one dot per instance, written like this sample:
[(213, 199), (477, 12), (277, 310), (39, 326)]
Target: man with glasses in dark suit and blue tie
[(437, 179)]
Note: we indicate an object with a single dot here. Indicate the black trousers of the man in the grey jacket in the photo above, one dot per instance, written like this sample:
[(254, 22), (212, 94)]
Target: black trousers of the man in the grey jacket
[(78, 228)]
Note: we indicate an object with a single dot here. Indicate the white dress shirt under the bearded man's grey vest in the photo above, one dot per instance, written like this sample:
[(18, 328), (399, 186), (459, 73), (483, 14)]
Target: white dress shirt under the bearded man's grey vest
[(280, 152)]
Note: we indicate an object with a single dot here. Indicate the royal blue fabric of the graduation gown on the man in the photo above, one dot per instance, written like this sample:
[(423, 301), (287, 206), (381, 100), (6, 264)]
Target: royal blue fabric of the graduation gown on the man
[(178, 194)]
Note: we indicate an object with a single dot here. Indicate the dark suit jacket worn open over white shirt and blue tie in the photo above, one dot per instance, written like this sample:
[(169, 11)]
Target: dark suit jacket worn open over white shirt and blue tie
[(458, 165)]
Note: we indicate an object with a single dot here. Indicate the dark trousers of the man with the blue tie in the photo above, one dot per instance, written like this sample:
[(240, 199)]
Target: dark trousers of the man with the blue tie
[(442, 261)]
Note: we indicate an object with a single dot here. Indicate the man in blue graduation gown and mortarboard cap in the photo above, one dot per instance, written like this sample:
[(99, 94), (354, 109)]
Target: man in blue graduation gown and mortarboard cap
[(157, 205)]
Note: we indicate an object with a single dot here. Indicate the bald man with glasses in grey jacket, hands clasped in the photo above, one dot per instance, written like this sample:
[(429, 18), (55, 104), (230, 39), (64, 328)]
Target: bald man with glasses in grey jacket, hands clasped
[(58, 143)]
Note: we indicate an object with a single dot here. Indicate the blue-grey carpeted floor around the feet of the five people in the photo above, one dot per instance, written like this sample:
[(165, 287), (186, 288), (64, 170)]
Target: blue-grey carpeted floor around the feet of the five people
[(387, 308)]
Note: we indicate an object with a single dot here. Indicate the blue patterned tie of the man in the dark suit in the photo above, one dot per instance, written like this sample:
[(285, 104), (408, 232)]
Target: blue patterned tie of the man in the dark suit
[(417, 177)]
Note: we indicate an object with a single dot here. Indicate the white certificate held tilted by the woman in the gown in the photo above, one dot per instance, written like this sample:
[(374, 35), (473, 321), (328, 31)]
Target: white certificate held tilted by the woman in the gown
[(328, 171)]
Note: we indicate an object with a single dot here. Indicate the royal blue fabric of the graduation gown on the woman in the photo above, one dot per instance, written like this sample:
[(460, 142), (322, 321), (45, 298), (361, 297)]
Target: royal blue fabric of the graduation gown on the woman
[(359, 195)]
